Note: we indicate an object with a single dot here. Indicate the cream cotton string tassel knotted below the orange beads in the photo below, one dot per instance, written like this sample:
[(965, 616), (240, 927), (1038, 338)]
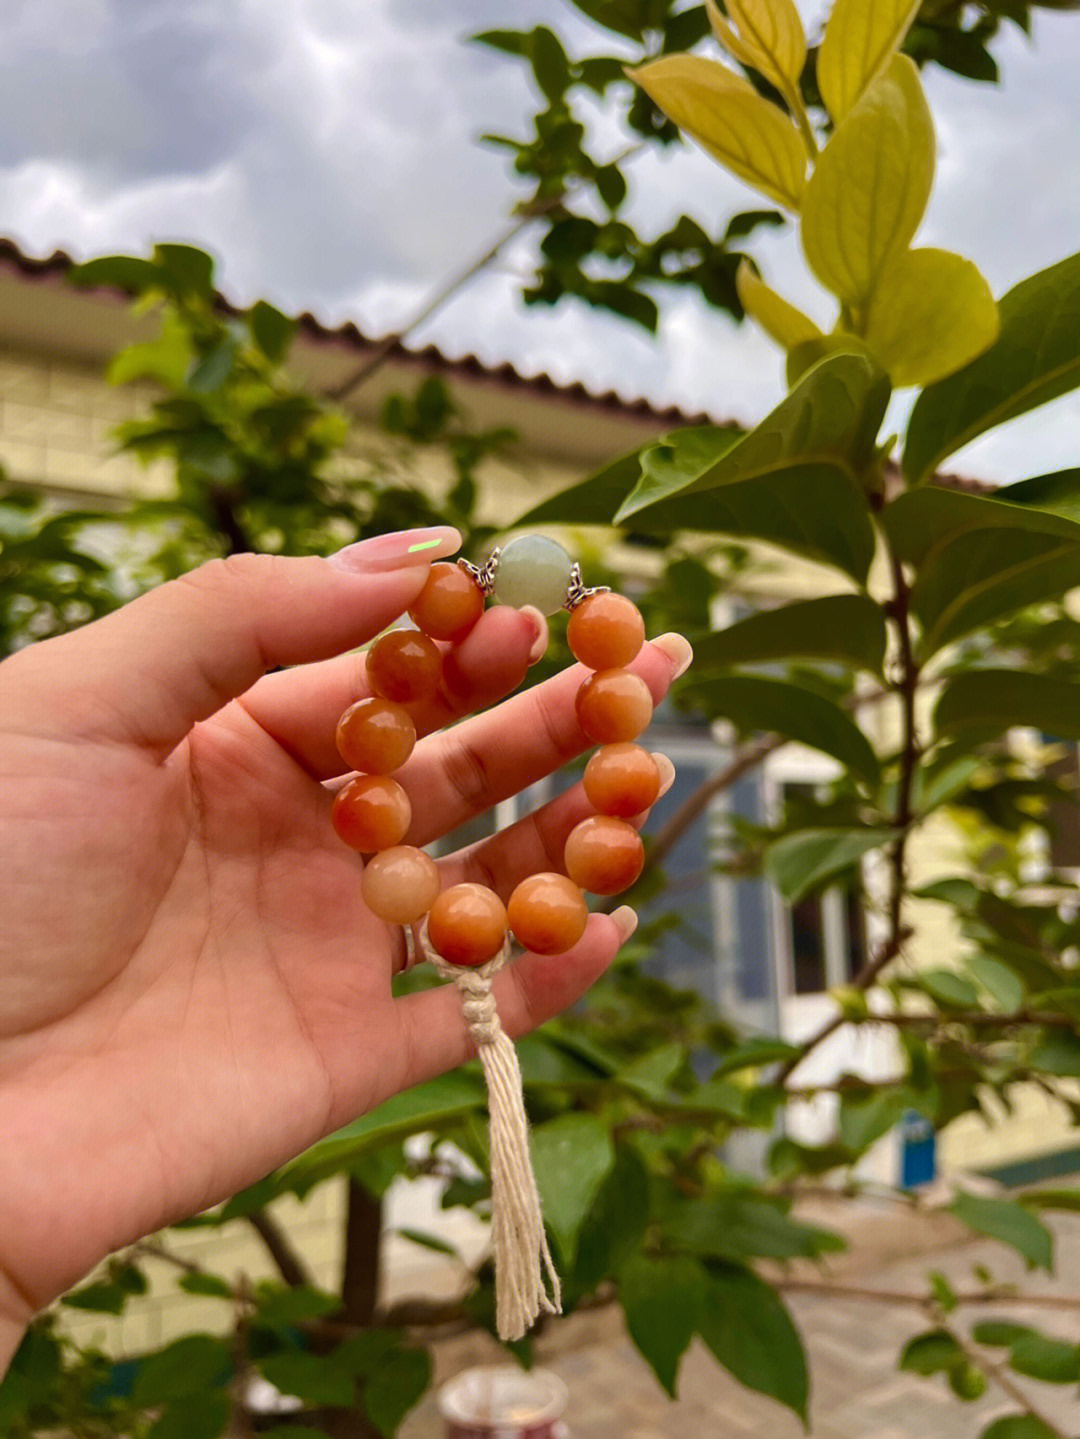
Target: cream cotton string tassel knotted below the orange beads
[(517, 1222)]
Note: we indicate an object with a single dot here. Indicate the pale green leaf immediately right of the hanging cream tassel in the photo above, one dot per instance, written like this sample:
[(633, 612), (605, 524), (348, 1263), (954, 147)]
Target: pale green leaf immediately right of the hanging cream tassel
[(572, 1158)]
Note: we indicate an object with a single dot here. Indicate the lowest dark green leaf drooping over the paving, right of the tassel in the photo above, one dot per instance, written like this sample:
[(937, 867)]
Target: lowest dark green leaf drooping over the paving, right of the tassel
[(750, 1332)]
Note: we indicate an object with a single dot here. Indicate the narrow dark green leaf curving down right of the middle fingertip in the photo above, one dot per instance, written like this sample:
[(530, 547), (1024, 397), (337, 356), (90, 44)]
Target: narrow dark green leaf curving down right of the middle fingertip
[(756, 704)]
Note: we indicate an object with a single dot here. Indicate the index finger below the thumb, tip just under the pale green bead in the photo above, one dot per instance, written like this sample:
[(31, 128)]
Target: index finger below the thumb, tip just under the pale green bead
[(300, 709)]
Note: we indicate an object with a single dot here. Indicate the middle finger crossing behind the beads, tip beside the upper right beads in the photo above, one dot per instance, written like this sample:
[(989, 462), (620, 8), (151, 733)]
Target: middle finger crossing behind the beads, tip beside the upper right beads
[(497, 755)]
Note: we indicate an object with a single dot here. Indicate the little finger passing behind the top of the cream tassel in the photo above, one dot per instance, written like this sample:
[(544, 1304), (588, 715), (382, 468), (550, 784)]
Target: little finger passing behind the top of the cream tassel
[(434, 1034)]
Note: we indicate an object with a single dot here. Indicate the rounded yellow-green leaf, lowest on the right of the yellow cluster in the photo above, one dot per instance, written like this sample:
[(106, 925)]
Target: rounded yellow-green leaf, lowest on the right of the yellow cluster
[(931, 314)]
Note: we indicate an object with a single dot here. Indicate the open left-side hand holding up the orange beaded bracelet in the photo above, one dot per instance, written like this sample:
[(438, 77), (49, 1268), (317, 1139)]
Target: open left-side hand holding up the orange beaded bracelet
[(192, 991)]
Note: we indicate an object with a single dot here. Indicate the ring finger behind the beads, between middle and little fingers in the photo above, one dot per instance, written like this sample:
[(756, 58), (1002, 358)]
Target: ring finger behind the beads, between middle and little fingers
[(534, 844)]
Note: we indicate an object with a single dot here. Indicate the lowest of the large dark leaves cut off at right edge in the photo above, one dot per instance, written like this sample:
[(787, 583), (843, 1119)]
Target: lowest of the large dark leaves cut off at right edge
[(989, 702)]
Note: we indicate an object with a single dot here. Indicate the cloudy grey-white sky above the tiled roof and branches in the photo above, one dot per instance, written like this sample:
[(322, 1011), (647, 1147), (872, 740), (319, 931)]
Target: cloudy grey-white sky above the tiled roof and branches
[(326, 152)]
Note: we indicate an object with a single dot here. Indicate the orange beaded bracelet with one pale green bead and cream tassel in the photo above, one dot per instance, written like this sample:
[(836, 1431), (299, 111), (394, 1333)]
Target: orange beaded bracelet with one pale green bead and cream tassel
[(465, 932)]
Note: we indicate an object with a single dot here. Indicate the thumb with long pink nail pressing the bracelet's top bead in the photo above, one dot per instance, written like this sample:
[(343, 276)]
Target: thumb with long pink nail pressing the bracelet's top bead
[(150, 671)]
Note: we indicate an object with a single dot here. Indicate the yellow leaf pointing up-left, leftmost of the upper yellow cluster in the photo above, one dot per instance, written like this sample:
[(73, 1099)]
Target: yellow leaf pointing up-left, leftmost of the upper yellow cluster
[(727, 117)]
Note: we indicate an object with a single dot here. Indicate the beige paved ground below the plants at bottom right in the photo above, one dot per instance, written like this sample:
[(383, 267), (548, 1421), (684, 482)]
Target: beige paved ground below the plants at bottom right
[(854, 1346)]
